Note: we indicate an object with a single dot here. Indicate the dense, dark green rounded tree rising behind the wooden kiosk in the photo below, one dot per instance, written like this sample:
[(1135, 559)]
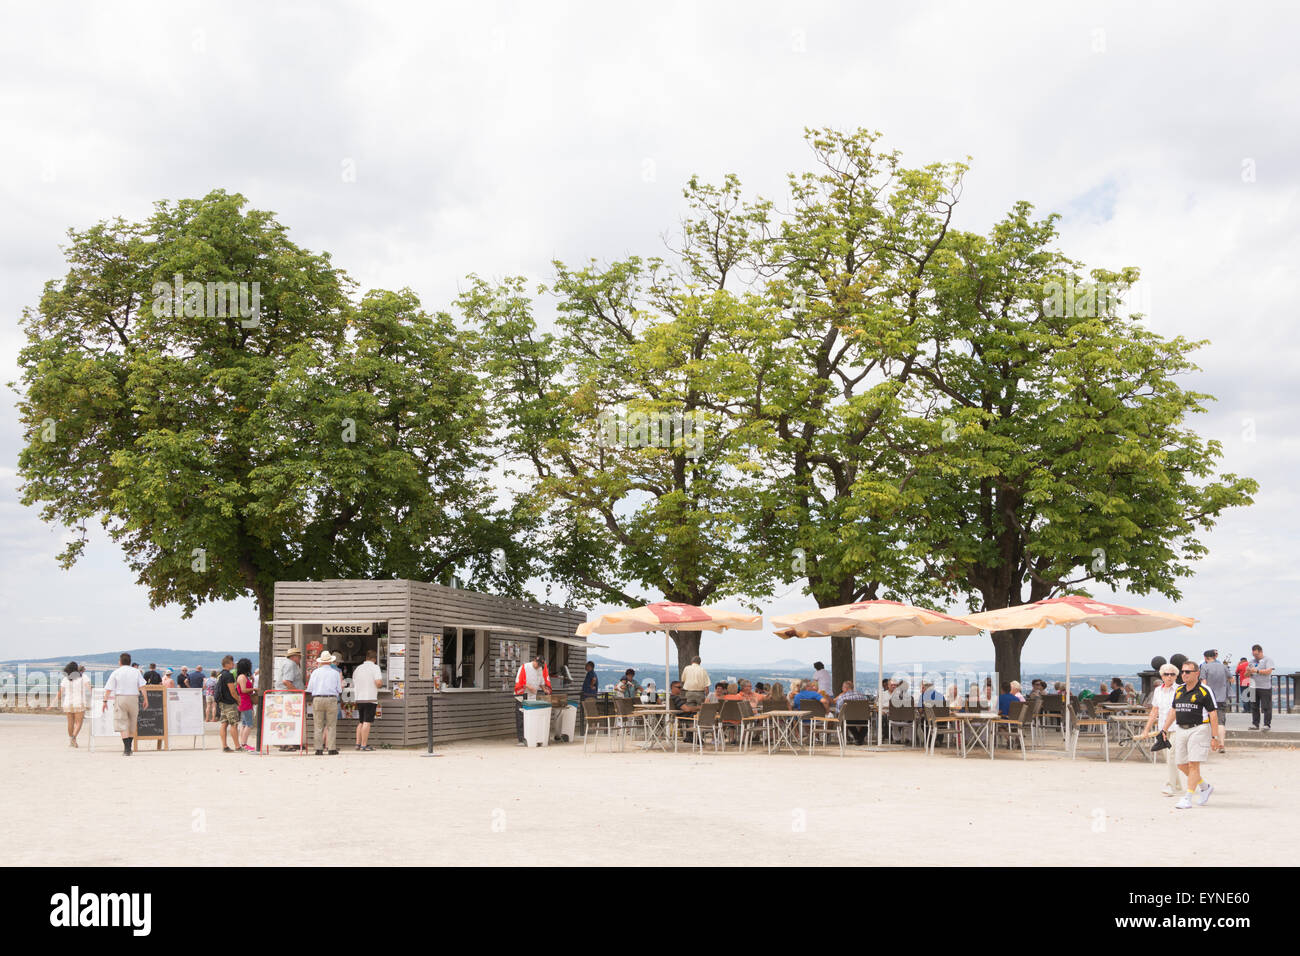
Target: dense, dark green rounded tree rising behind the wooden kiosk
[(227, 443)]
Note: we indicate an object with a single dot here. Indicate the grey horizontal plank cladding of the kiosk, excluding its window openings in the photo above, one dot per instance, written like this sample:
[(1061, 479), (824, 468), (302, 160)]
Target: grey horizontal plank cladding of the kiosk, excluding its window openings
[(415, 608)]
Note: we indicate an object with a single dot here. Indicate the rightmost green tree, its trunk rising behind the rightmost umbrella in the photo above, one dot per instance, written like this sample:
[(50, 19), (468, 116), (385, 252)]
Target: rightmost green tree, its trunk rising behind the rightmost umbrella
[(1060, 455)]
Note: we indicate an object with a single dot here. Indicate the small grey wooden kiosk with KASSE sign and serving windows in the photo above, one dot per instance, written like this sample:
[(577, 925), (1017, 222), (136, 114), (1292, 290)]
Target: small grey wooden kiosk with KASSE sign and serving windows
[(458, 647)]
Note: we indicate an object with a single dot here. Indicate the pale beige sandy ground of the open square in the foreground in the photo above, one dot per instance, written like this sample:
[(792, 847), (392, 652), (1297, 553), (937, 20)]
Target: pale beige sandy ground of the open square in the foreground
[(493, 803)]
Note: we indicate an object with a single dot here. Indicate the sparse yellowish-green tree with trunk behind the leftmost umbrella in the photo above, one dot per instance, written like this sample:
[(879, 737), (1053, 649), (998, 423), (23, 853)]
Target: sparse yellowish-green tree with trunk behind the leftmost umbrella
[(618, 418)]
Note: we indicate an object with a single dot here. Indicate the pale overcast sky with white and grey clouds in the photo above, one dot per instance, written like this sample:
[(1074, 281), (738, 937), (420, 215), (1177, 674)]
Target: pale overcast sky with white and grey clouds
[(419, 144)]
